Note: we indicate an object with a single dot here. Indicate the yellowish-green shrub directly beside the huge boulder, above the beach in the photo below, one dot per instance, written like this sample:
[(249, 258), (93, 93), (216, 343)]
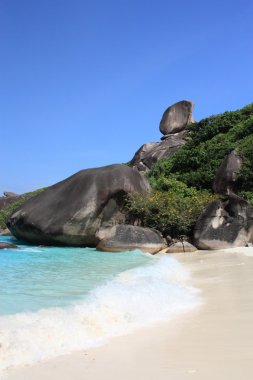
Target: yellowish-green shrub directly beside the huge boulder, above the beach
[(173, 212)]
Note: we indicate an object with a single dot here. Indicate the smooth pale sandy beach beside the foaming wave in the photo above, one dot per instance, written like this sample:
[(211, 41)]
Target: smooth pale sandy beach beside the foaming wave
[(215, 341)]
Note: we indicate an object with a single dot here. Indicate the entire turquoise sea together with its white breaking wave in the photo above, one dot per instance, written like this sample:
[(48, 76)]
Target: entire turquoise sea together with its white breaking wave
[(56, 300)]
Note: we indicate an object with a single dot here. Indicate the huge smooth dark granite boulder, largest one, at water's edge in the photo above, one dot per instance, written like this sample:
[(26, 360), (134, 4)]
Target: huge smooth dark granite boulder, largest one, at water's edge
[(72, 211)]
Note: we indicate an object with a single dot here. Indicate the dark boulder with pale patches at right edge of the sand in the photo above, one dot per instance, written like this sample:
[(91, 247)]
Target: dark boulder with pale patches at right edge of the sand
[(225, 224)]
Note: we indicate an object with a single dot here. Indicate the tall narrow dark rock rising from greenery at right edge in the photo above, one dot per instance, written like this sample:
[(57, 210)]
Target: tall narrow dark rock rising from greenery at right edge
[(227, 174)]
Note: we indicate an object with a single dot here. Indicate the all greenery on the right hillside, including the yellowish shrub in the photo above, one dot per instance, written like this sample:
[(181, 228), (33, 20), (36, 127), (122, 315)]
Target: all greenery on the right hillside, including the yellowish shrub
[(182, 184)]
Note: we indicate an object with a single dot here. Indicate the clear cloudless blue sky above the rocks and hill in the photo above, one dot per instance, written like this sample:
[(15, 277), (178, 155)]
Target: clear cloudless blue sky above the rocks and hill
[(84, 83)]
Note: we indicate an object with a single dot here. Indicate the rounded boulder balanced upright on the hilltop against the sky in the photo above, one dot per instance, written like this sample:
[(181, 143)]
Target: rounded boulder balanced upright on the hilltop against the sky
[(176, 117)]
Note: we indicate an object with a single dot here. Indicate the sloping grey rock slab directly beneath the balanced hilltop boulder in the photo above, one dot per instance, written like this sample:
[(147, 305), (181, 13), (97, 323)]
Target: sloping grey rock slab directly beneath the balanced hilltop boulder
[(150, 153)]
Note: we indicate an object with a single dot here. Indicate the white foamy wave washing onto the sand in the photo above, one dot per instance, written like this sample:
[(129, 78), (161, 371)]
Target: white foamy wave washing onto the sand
[(135, 298)]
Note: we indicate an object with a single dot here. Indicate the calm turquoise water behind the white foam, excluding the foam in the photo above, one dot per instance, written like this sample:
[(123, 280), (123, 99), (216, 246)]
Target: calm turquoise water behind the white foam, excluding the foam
[(32, 278)]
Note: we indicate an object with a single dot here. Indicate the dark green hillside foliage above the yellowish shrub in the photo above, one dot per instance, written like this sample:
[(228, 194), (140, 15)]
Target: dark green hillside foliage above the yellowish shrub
[(209, 141)]
